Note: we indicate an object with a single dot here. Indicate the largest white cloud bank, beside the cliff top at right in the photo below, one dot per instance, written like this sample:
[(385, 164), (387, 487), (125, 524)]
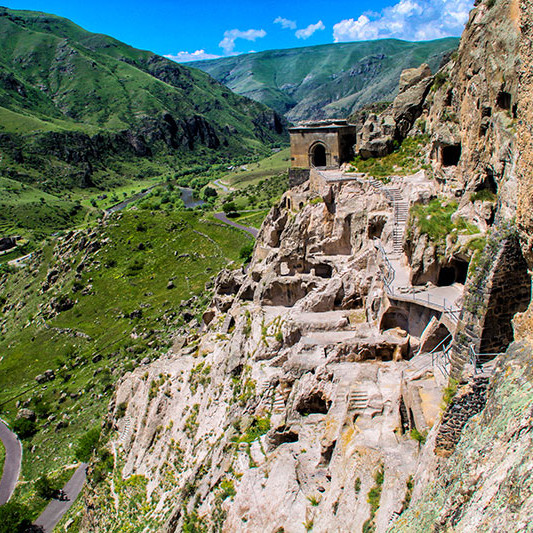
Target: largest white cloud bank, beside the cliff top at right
[(413, 20)]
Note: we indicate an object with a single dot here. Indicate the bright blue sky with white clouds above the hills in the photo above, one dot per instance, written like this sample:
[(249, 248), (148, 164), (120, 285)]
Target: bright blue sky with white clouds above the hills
[(205, 29)]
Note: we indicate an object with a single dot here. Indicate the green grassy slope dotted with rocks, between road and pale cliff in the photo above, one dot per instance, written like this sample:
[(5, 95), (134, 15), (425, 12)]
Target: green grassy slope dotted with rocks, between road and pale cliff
[(31, 343)]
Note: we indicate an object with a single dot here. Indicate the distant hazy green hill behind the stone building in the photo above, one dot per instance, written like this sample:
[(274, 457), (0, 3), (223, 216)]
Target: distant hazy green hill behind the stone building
[(327, 80)]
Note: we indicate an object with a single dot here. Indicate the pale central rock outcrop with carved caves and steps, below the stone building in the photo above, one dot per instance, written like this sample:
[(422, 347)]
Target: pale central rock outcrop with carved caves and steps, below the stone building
[(286, 412)]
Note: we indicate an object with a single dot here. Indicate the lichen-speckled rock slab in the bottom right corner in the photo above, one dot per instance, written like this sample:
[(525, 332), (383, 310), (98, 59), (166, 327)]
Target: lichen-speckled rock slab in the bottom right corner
[(486, 484)]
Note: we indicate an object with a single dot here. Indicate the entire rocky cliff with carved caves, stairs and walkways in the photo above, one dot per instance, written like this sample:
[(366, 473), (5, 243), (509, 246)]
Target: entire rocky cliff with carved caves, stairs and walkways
[(317, 395)]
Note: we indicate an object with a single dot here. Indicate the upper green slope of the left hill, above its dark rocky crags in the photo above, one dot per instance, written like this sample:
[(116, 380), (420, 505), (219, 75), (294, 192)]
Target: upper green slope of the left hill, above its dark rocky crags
[(99, 81)]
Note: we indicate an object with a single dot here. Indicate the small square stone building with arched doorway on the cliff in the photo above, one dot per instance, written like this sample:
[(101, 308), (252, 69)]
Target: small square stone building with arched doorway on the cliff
[(323, 144)]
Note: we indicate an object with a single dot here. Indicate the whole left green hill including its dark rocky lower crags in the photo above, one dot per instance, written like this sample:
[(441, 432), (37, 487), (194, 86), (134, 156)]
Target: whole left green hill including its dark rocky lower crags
[(77, 108)]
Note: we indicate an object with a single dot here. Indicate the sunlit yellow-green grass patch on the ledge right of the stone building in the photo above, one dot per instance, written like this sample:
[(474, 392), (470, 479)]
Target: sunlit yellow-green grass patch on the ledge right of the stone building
[(406, 159)]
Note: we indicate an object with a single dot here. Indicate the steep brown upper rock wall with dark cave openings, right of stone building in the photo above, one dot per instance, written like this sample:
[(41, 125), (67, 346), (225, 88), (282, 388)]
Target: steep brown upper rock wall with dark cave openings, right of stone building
[(472, 109)]
